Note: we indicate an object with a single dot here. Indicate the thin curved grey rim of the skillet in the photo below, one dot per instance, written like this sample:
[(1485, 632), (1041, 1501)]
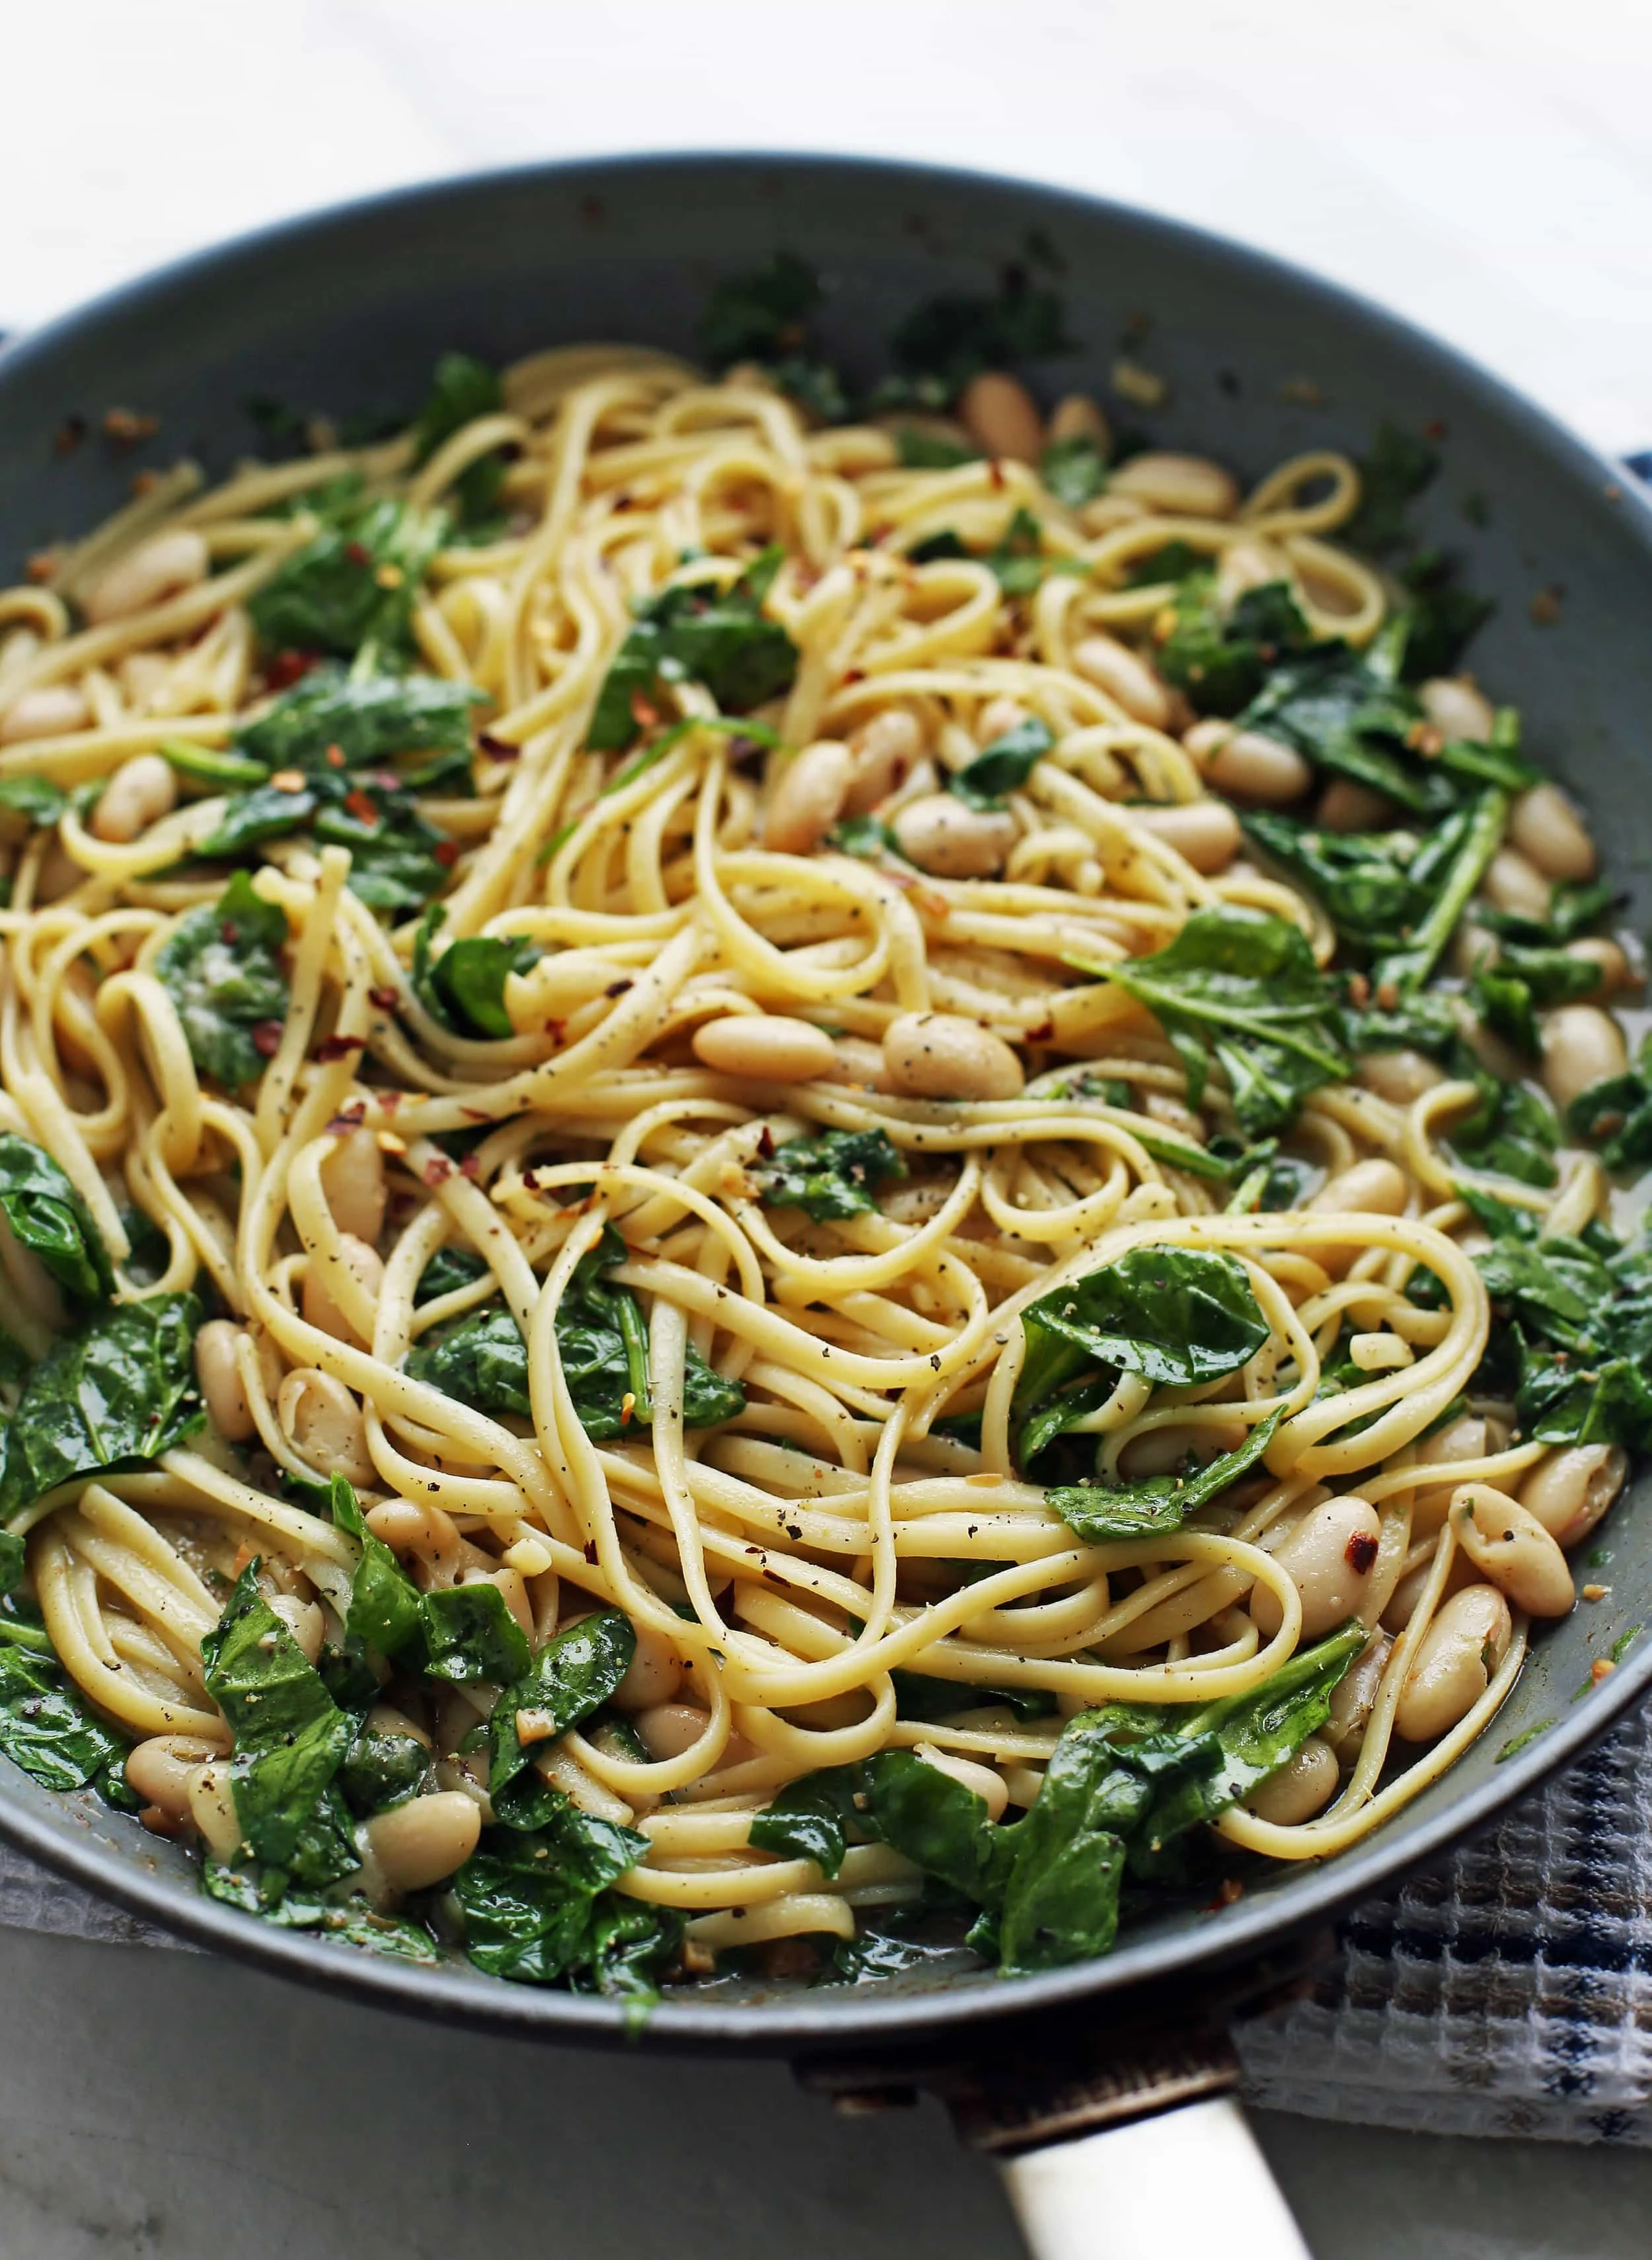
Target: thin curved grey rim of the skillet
[(835, 2019)]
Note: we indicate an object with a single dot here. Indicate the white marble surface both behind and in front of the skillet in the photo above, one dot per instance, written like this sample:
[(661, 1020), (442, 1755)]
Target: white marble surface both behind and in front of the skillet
[(1481, 168)]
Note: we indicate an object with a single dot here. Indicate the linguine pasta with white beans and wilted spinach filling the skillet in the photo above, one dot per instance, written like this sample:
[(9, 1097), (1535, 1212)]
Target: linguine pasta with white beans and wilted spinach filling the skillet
[(767, 1174)]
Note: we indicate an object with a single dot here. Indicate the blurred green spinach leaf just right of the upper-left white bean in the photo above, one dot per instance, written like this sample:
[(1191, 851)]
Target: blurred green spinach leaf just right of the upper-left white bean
[(354, 584)]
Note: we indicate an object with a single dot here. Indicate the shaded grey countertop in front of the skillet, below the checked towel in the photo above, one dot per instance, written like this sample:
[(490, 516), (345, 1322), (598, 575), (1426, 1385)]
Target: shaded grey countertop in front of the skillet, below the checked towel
[(177, 2107)]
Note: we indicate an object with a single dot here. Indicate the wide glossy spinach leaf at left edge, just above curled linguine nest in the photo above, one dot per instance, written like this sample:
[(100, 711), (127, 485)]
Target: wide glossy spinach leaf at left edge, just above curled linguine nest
[(119, 1389)]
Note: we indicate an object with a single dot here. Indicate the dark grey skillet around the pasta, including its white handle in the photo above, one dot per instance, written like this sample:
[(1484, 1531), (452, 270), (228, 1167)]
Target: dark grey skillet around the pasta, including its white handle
[(347, 313)]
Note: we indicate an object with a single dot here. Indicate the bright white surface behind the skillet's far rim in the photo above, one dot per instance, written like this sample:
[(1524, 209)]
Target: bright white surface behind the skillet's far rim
[(1484, 166)]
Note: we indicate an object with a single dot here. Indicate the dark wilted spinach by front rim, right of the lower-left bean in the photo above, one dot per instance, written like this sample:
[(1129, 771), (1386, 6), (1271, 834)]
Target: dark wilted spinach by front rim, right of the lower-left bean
[(539, 1909)]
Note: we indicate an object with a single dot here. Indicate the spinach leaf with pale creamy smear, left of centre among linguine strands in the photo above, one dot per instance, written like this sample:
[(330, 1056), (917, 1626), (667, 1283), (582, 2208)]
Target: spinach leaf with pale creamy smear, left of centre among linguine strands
[(223, 971)]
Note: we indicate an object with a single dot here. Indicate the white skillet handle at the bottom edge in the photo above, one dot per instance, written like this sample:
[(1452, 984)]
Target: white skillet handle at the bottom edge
[(1174, 2187)]
